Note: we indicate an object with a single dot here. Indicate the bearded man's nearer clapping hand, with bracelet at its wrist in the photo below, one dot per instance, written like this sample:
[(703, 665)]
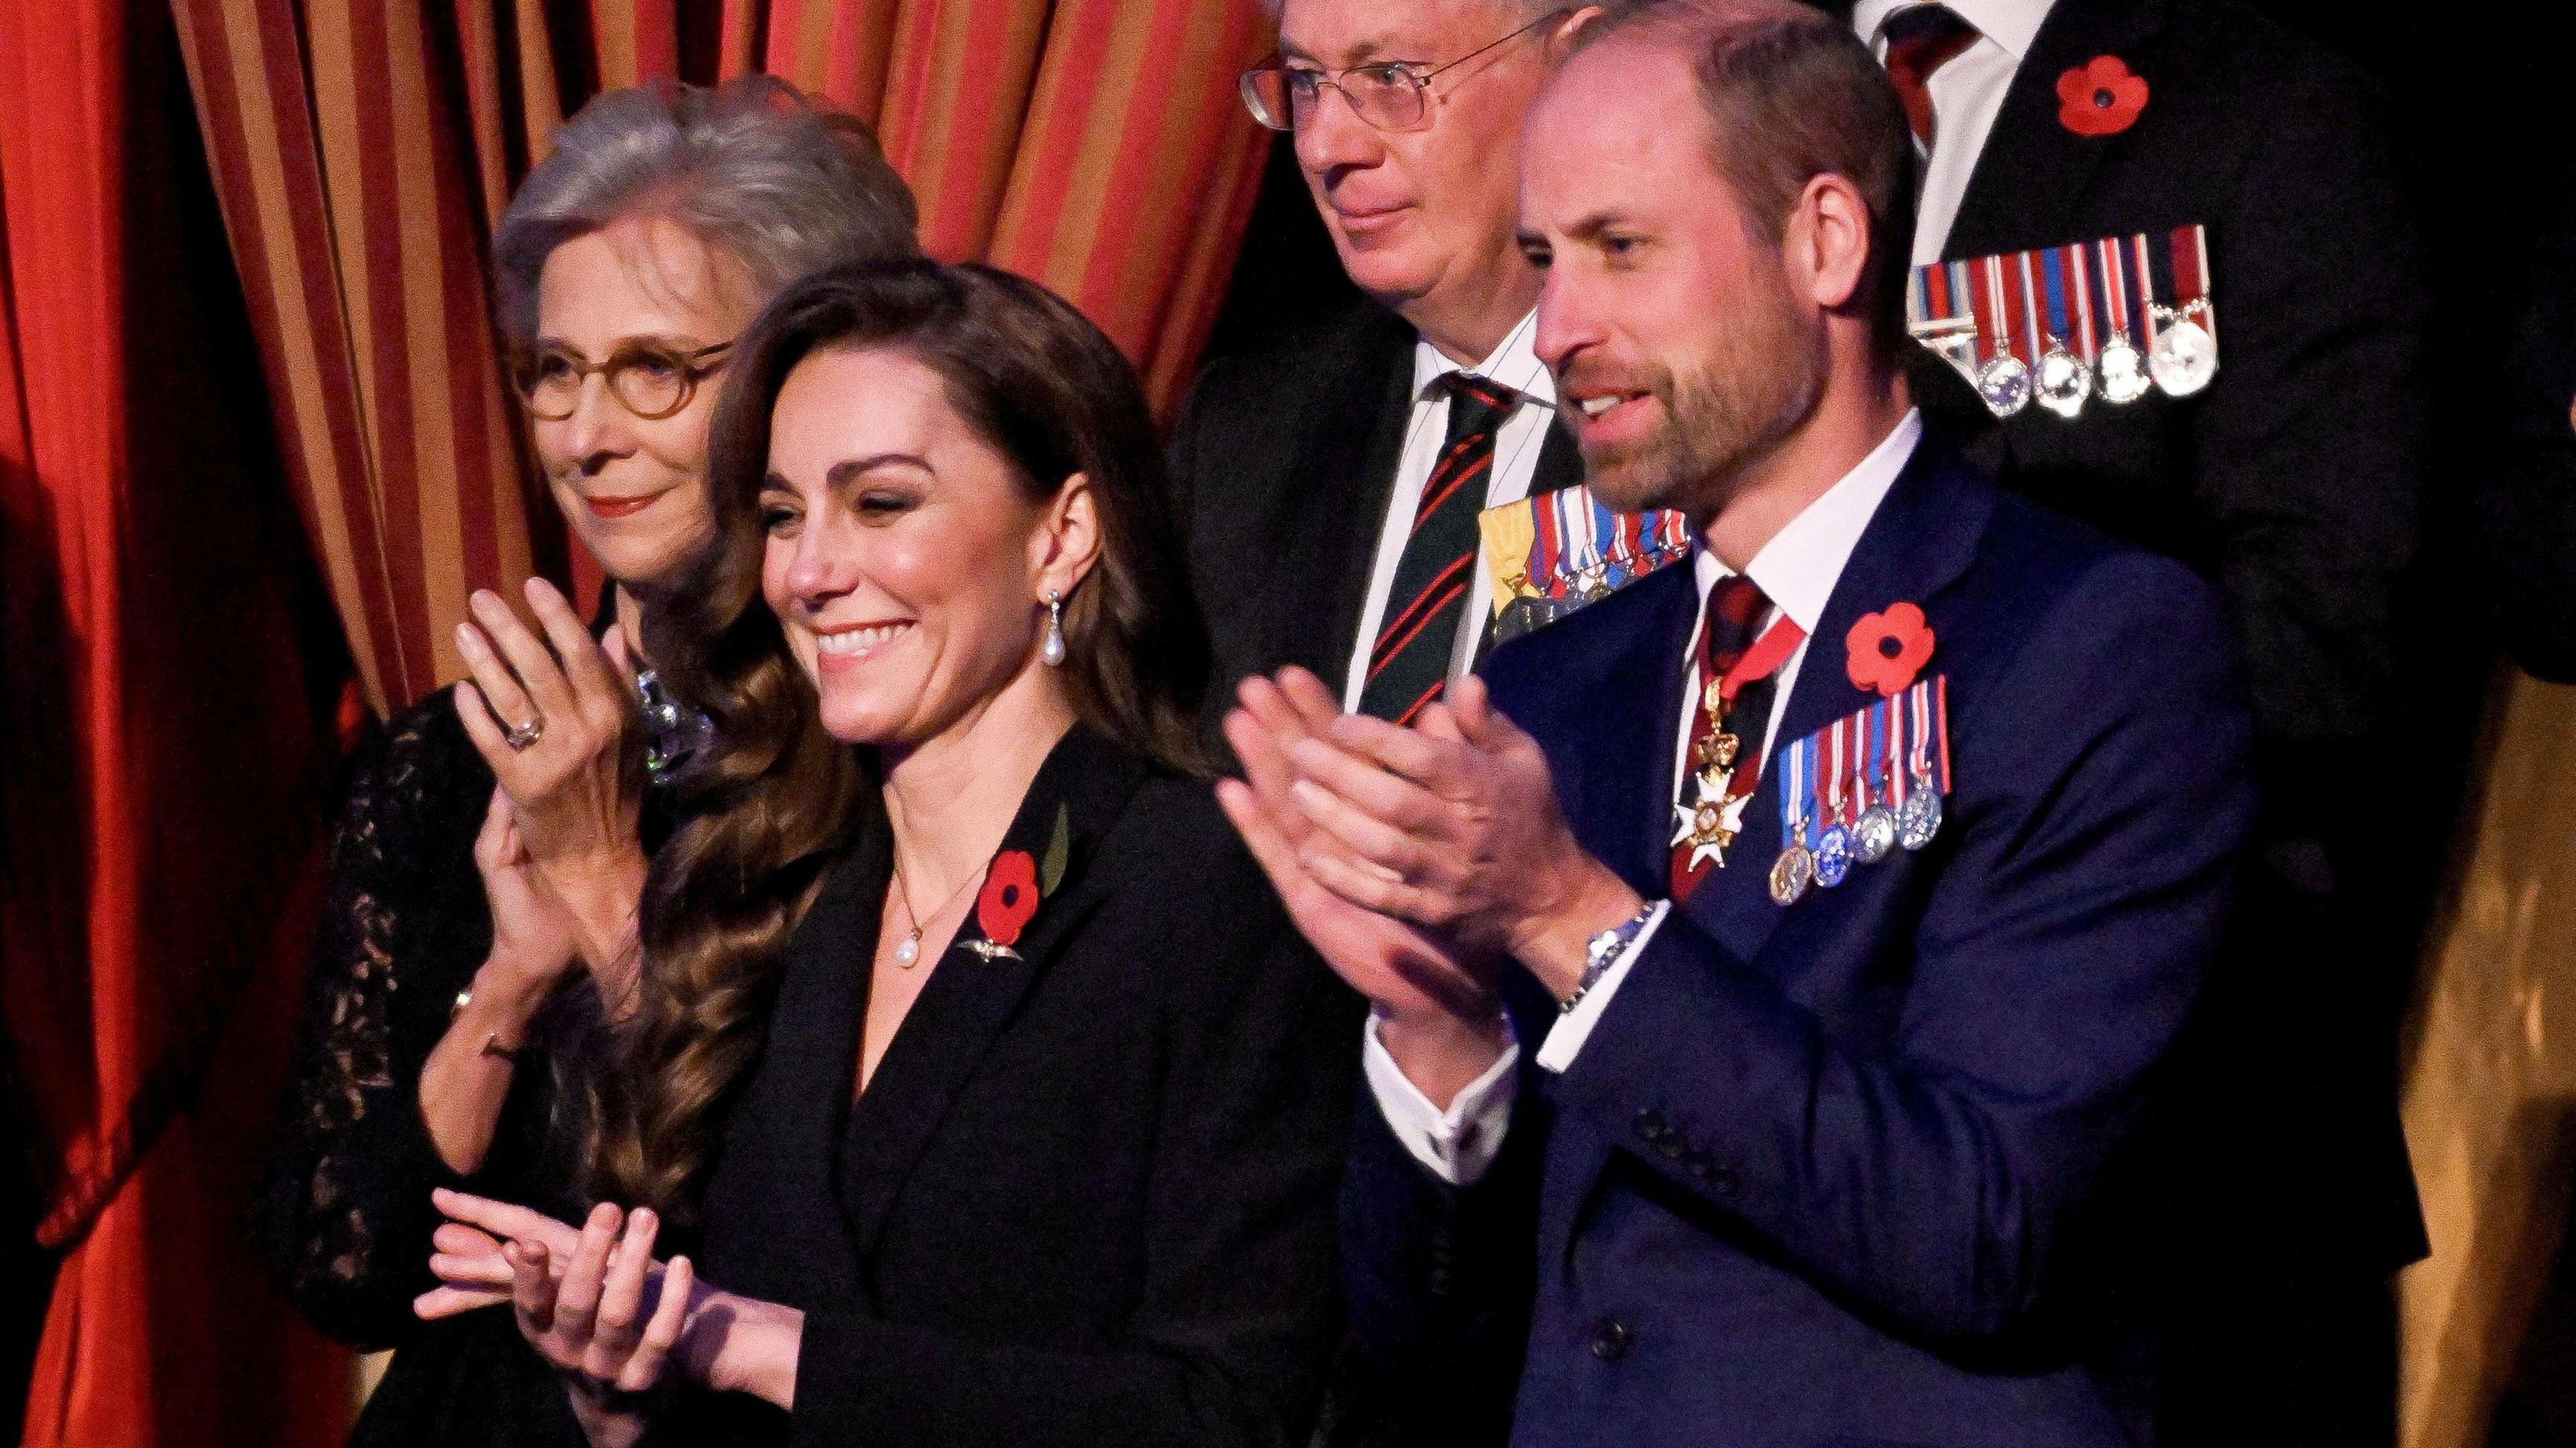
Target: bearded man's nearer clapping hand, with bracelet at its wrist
[(1454, 826)]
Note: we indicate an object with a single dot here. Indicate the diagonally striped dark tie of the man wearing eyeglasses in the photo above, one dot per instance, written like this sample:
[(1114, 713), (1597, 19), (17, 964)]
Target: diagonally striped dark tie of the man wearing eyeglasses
[(1436, 573)]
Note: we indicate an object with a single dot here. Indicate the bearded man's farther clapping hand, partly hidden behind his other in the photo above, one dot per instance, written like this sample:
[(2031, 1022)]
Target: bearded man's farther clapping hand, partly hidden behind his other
[(1439, 1014)]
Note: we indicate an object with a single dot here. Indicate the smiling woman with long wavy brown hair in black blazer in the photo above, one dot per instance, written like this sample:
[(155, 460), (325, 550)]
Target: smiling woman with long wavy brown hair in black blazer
[(978, 1063)]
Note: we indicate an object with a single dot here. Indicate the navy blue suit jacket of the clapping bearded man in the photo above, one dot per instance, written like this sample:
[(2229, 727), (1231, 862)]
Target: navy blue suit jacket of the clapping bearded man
[(1882, 1166)]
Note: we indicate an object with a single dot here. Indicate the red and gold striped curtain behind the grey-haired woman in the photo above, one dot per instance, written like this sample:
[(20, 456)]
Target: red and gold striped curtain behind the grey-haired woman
[(362, 151)]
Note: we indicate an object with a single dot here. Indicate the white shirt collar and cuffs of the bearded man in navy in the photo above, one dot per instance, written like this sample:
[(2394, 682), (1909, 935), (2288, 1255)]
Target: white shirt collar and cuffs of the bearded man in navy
[(1797, 571)]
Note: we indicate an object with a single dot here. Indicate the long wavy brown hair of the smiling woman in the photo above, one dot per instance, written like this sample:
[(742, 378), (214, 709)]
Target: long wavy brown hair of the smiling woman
[(777, 797)]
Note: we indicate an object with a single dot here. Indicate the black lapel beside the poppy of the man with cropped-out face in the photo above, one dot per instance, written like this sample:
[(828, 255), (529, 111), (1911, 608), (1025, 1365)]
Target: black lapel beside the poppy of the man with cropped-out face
[(2031, 179)]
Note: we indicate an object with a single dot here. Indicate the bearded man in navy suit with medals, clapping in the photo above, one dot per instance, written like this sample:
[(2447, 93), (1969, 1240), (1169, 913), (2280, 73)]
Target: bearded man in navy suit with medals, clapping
[(1779, 965)]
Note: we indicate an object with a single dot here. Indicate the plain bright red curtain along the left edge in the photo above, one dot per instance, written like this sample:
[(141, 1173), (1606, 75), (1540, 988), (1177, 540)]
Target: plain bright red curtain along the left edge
[(166, 746)]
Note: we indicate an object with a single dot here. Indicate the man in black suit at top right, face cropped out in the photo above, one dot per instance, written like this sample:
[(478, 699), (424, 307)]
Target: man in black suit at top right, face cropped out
[(2294, 483)]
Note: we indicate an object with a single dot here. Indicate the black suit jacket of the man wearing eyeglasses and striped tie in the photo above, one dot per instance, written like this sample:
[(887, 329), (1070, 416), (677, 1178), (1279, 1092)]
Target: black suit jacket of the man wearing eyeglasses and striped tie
[(1284, 462)]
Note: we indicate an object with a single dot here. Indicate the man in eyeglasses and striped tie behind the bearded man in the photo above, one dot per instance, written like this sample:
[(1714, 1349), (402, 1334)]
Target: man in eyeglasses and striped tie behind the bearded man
[(1331, 483)]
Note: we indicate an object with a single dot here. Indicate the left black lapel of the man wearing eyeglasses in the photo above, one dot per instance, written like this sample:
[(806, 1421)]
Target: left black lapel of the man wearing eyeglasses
[(1346, 481)]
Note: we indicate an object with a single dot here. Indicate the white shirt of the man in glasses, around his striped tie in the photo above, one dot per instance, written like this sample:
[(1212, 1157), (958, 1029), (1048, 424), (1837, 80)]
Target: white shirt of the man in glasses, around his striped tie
[(1516, 462)]
